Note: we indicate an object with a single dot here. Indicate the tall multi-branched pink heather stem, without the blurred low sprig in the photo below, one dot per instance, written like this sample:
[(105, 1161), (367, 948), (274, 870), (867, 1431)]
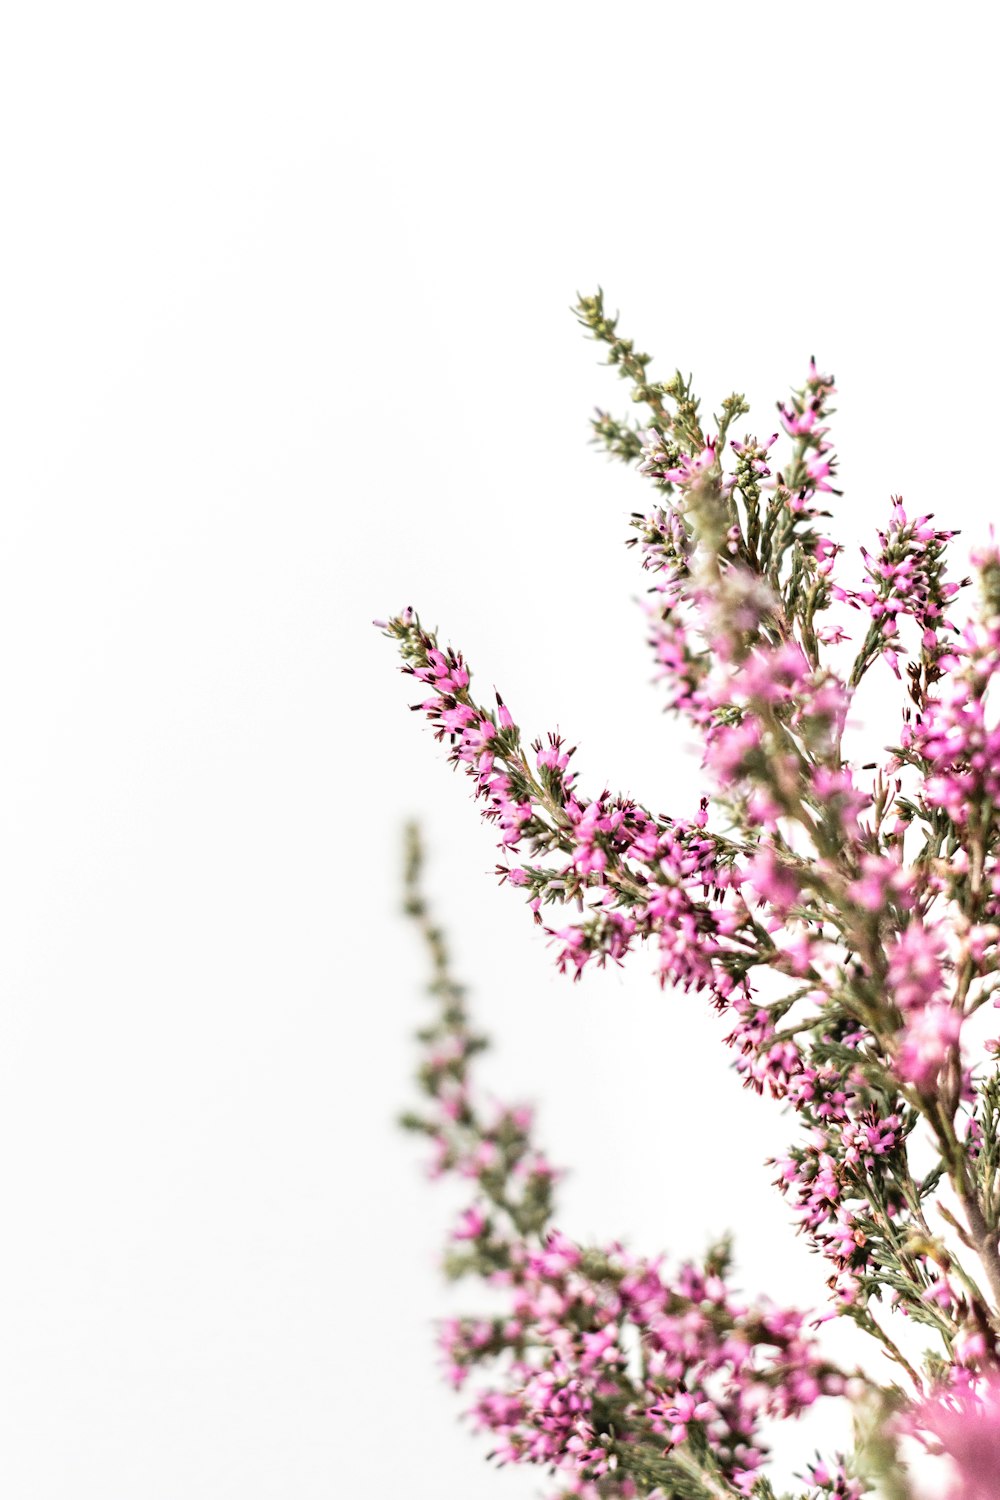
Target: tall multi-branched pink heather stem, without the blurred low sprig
[(870, 893)]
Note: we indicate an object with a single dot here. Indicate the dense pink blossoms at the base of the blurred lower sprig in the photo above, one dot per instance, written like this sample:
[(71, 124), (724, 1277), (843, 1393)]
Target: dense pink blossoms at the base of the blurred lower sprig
[(707, 1360)]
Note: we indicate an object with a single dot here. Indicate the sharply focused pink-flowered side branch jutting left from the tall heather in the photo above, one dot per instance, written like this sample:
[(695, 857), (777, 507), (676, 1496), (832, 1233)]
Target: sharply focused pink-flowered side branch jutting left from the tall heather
[(647, 878)]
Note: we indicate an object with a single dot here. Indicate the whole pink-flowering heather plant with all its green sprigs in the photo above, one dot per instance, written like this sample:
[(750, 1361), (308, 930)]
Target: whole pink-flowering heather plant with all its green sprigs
[(842, 911)]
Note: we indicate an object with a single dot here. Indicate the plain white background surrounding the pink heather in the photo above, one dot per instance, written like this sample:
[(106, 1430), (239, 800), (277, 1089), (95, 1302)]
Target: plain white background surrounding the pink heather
[(286, 347)]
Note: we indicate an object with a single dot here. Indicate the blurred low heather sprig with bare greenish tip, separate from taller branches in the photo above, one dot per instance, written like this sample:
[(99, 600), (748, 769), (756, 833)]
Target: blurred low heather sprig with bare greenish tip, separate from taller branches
[(615, 1373)]
